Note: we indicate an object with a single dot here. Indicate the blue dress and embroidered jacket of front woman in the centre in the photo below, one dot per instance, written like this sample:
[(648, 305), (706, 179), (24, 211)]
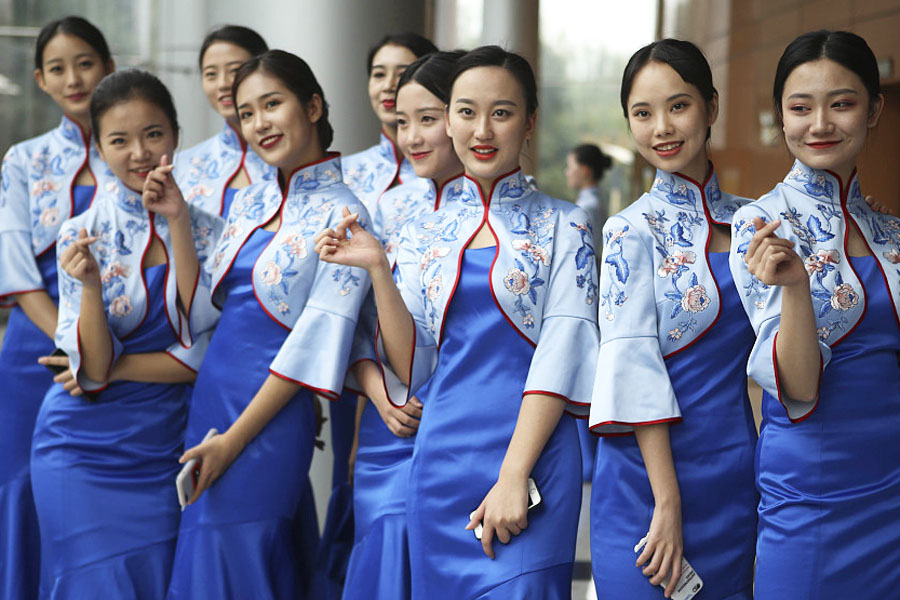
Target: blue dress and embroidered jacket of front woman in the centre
[(493, 325)]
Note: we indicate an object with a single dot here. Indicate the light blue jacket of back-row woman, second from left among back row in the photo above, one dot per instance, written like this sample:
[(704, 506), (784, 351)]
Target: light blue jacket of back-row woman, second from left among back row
[(203, 171)]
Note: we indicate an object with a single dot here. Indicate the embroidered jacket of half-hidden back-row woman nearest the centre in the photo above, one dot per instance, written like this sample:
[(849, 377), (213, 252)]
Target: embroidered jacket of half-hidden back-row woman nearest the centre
[(369, 173)]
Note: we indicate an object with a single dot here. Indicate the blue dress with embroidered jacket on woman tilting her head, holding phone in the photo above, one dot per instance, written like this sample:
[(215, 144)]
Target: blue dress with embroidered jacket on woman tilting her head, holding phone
[(283, 312)]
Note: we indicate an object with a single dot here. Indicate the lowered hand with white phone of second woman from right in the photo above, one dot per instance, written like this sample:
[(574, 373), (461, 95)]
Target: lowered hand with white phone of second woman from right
[(664, 548)]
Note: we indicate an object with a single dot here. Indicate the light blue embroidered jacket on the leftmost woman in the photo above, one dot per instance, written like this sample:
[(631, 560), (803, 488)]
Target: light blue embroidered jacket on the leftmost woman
[(38, 176)]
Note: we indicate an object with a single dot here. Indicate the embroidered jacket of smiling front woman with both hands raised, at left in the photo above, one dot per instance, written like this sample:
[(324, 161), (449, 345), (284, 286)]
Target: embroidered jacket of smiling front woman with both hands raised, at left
[(126, 229)]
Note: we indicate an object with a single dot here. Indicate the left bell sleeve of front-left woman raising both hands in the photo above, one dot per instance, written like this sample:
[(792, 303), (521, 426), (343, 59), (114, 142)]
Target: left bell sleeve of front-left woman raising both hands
[(67, 336)]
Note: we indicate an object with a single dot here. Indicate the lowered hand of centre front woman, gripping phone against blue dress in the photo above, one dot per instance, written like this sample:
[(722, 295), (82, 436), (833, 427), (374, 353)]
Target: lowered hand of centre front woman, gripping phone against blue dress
[(503, 512)]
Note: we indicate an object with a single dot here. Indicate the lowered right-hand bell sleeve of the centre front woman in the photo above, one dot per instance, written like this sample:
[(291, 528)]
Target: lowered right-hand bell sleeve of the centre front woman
[(568, 342)]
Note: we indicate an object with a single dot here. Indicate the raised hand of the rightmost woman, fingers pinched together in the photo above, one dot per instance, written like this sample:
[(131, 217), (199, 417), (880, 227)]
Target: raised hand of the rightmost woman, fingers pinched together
[(772, 259)]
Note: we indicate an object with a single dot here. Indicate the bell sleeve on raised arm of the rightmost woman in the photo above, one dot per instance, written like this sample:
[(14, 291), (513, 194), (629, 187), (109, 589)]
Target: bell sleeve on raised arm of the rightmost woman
[(762, 304)]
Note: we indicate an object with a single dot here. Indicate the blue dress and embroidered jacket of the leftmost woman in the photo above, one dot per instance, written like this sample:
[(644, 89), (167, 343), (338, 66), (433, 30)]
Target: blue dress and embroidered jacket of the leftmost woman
[(37, 194)]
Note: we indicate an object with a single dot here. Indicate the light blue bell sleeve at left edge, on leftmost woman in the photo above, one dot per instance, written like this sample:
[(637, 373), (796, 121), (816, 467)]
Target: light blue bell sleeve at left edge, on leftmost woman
[(19, 272)]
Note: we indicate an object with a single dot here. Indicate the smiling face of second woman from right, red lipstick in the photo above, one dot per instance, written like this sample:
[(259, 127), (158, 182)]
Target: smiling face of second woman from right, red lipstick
[(669, 119)]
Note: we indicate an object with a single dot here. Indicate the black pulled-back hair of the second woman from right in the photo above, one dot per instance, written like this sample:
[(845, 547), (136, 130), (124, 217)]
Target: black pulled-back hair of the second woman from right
[(685, 58)]
